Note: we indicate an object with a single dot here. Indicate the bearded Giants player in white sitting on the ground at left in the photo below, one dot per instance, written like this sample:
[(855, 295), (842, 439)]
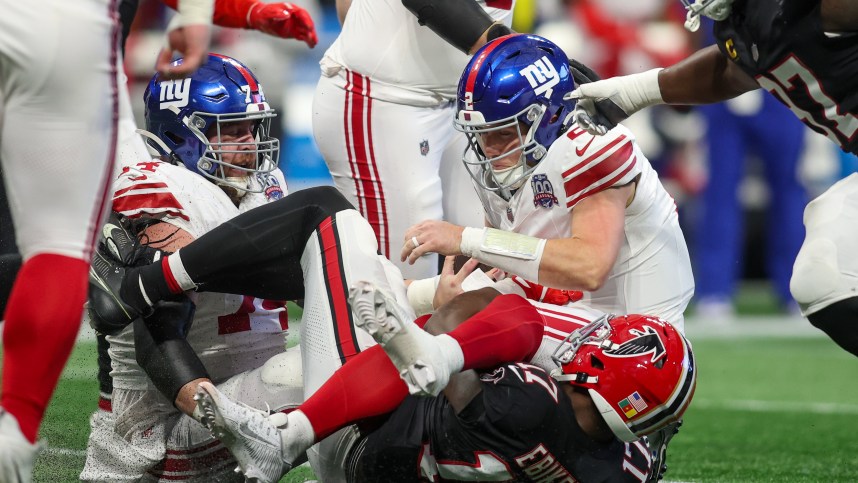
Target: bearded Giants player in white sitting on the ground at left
[(217, 161)]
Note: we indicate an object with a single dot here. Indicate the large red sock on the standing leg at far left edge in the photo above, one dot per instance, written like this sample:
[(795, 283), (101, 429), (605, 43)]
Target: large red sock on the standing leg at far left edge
[(42, 321)]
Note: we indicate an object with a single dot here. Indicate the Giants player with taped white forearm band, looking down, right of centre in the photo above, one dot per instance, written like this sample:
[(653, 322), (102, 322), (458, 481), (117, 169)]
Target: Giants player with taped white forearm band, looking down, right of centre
[(565, 209)]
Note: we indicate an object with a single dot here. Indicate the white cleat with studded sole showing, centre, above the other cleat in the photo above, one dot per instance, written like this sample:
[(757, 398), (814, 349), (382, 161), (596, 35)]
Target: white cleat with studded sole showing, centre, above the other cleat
[(415, 353)]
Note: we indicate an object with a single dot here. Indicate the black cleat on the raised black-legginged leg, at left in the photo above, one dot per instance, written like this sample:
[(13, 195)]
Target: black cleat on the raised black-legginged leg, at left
[(117, 253)]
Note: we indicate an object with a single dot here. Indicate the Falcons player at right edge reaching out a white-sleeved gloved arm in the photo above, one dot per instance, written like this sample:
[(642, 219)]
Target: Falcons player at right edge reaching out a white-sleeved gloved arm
[(804, 53)]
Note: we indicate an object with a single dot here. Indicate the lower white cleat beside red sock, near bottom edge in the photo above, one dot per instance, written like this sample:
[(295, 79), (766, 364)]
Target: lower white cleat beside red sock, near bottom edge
[(251, 437)]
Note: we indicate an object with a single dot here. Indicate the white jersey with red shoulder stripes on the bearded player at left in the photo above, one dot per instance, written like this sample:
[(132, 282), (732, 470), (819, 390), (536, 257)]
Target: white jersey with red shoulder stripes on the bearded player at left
[(230, 333)]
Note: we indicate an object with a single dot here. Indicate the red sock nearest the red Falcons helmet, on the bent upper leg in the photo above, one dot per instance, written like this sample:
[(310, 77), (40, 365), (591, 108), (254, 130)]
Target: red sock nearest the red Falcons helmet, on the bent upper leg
[(508, 330)]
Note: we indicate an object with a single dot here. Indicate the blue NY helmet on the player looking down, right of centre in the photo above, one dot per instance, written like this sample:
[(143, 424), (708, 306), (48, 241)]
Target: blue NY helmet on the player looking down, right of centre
[(514, 81)]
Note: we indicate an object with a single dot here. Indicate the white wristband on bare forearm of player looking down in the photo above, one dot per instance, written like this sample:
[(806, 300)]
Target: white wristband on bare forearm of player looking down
[(511, 252)]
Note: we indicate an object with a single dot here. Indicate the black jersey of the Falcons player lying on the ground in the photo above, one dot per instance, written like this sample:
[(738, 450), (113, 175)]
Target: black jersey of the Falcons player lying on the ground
[(520, 428)]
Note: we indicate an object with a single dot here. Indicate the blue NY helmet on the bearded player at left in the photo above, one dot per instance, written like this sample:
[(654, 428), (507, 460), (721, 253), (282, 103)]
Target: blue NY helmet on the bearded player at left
[(182, 114)]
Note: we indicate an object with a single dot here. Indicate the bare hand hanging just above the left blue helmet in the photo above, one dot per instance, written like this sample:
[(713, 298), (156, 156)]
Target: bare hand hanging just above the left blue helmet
[(192, 42)]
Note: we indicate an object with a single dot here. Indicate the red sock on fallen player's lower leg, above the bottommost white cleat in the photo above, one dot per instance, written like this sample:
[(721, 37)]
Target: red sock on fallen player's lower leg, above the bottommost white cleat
[(367, 385)]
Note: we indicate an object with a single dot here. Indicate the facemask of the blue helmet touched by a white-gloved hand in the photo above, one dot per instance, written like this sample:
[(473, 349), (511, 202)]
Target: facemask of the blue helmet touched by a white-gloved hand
[(527, 151)]
